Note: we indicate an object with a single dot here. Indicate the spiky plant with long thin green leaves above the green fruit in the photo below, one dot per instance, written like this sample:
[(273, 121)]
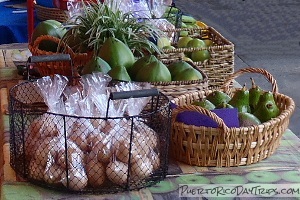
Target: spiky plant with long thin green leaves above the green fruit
[(99, 21)]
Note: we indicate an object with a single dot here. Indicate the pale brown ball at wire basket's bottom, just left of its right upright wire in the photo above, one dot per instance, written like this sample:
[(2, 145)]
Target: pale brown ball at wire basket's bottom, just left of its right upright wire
[(117, 172)]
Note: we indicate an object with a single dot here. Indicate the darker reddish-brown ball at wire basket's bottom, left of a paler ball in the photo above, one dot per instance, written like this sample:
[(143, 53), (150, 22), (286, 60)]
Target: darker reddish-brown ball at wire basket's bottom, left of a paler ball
[(96, 173)]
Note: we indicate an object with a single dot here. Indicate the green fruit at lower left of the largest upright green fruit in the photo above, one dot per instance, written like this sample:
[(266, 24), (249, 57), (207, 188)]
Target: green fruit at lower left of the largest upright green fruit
[(97, 64)]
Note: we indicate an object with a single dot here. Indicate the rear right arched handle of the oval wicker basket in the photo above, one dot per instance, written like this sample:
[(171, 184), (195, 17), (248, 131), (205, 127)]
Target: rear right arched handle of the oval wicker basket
[(267, 75)]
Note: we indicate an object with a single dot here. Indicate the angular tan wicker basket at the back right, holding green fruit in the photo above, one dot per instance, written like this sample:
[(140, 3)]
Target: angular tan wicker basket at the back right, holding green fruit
[(221, 63)]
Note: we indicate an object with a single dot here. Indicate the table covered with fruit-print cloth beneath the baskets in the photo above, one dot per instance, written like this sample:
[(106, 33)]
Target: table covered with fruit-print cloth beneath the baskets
[(282, 168)]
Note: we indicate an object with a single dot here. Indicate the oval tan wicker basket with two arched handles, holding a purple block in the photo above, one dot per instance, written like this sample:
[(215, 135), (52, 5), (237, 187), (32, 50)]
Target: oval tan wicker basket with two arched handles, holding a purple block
[(223, 146)]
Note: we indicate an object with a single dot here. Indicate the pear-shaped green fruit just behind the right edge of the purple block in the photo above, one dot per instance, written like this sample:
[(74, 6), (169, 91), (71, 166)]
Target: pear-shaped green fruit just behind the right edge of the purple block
[(240, 100)]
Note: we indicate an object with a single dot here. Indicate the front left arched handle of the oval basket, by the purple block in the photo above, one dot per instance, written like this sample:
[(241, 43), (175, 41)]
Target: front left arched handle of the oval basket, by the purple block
[(220, 122)]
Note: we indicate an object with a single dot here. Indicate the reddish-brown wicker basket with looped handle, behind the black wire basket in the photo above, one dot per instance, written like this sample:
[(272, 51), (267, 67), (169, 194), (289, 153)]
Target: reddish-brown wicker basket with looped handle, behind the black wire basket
[(58, 67)]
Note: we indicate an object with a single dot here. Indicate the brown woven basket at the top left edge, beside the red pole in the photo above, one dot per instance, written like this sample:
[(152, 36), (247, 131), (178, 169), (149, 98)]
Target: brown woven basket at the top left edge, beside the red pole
[(45, 13)]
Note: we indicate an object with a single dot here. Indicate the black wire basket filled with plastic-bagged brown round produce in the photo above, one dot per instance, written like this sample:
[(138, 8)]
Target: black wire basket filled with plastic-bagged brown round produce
[(79, 161)]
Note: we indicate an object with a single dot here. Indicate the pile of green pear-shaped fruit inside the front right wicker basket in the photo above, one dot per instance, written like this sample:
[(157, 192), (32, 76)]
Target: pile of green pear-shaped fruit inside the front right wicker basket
[(252, 106)]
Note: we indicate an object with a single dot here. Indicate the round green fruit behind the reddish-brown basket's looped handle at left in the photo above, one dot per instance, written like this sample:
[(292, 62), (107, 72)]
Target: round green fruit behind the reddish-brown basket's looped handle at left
[(48, 27)]
